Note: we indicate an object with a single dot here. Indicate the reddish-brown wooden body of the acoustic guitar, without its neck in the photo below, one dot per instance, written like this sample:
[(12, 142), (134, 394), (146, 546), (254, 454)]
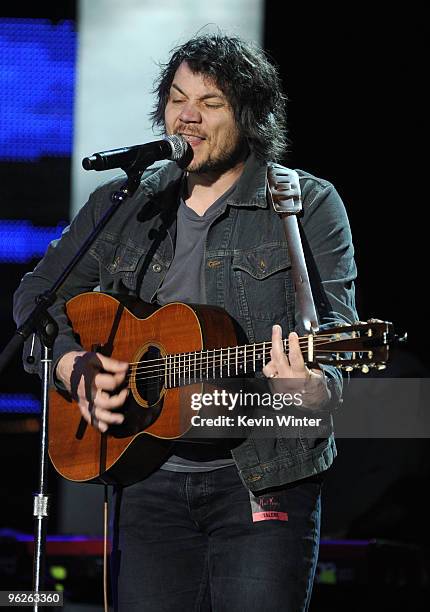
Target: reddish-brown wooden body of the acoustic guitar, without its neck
[(155, 415)]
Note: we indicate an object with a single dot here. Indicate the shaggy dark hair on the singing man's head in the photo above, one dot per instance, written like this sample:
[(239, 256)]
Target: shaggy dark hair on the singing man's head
[(247, 78)]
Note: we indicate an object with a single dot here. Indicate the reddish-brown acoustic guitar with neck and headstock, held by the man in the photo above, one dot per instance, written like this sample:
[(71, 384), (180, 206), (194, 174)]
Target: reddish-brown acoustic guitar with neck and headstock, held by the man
[(173, 350)]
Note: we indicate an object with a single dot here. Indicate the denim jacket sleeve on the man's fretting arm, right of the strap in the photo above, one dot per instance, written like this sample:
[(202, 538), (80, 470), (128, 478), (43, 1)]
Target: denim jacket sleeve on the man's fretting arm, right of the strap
[(326, 227)]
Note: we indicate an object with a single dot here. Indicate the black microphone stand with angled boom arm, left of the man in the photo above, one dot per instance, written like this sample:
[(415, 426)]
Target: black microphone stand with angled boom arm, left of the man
[(41, 323)]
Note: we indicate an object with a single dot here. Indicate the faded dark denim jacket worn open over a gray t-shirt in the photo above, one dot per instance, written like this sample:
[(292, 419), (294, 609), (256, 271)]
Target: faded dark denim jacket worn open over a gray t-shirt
[(247, 272)]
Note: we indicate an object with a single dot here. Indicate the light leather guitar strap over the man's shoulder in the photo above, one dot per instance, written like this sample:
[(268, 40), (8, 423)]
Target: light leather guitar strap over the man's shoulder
[(283, 187)]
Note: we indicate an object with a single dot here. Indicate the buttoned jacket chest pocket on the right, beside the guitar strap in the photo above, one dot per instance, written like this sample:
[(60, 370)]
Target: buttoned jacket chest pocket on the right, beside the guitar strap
[(261, 279)]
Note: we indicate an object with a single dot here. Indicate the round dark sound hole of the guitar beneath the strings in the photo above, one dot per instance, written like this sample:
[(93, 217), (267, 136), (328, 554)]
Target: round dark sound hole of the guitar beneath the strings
[(150, 376)]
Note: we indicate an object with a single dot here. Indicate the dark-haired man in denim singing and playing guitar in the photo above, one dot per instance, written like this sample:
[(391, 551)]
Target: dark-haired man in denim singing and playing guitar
[(187, 537)]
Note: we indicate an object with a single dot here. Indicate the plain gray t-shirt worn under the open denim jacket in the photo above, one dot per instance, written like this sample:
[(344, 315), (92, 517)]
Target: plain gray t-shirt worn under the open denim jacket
[(184, 282)]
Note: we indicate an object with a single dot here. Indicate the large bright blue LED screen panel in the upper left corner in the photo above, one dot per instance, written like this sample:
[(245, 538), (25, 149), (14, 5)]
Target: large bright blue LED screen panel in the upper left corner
[(37, 73)]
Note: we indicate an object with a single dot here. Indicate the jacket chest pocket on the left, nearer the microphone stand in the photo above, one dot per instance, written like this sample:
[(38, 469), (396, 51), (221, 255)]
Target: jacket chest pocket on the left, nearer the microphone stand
[(119, 258)]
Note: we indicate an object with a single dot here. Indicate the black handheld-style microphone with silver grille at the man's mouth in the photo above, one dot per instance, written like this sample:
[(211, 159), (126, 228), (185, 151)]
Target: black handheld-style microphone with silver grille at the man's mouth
[(139, 157)]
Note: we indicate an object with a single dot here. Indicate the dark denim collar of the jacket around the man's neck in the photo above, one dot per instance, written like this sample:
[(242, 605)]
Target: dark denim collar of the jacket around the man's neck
[(250, 190)]
